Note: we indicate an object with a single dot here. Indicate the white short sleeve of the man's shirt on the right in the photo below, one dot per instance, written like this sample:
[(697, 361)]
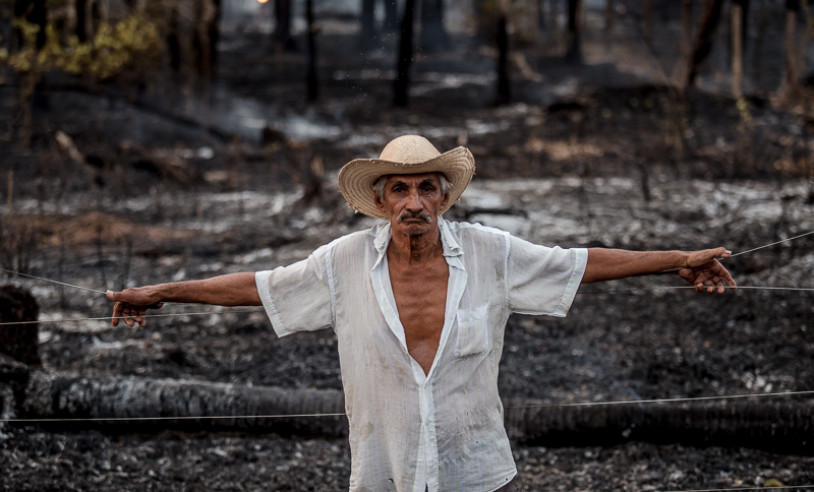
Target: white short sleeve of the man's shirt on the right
[(543, 280)]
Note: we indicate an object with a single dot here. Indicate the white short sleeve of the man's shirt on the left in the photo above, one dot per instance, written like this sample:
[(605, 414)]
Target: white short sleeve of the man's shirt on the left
[(297, 297)]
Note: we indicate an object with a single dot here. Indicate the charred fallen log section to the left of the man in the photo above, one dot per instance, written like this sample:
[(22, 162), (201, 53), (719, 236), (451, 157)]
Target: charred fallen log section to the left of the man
[(154, 404)]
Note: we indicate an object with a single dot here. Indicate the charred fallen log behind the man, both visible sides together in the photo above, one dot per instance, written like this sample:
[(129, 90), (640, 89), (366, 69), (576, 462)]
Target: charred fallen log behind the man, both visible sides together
[(144, 405)]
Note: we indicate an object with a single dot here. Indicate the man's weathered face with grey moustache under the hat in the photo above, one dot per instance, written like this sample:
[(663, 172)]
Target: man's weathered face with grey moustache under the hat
[(413, 202)]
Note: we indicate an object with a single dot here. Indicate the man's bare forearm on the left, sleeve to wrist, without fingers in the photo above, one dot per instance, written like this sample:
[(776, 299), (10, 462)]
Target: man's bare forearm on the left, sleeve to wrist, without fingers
[(233, 289)]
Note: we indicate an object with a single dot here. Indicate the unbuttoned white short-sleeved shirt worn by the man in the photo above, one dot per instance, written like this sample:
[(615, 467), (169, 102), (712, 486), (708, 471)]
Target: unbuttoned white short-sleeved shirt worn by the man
[(443, 430)]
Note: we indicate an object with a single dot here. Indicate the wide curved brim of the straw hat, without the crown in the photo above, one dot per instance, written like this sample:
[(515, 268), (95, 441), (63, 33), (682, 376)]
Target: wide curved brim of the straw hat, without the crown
[(357, 177)]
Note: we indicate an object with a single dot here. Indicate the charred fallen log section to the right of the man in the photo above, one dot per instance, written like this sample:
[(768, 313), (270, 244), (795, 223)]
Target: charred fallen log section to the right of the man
[(779, 426)]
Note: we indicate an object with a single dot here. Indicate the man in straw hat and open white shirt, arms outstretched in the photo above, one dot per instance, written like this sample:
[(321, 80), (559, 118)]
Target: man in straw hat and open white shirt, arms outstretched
[(419, 306)]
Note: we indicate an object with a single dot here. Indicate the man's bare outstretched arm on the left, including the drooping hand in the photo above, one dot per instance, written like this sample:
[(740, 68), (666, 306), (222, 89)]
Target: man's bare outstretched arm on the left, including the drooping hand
[(233, 289)]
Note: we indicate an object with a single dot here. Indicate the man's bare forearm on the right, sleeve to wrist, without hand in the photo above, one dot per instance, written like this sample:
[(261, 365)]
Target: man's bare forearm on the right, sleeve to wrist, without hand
[(611, 264)]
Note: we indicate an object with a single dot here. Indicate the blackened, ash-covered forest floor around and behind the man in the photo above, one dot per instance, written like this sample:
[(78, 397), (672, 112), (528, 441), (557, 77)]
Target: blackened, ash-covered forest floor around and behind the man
[(116, 190)]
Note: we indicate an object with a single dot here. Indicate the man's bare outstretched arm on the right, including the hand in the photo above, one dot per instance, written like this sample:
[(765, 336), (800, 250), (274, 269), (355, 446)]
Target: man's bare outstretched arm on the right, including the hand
[(700, 268)]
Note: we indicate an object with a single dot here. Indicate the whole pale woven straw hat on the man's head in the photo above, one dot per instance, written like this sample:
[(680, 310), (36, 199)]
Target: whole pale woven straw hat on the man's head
[(408, 154)]
